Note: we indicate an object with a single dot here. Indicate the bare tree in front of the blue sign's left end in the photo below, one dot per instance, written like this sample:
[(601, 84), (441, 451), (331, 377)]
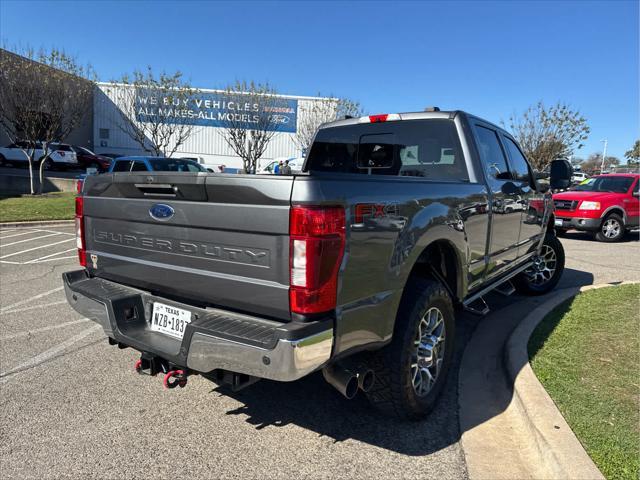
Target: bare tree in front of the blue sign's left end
[(155, 110)]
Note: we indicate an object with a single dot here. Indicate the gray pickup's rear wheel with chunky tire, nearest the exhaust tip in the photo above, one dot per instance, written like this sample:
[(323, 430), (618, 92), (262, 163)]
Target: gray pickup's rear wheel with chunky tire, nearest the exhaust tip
[(411, 373)]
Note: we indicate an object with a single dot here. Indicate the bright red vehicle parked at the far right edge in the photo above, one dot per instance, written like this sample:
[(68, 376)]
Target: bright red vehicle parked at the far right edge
[(607, 206)]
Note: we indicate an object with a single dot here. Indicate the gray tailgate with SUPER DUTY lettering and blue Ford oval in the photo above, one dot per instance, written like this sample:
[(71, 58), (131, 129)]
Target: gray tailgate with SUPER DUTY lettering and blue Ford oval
[(222, 242)]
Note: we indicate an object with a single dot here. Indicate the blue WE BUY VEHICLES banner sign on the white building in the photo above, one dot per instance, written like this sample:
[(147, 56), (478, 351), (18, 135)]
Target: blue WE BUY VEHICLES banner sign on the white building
[(219, 110)]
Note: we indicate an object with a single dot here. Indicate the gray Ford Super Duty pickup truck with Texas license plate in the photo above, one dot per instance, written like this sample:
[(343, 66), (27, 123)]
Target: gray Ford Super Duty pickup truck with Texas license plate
[(356, 267)]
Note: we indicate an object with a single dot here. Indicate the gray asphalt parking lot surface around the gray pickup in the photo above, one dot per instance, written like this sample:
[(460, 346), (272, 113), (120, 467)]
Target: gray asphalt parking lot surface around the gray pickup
[(71, 405)]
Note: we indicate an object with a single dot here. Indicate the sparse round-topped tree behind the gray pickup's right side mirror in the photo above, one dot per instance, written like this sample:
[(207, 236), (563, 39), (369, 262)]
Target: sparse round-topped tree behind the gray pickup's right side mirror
[(547, 133)]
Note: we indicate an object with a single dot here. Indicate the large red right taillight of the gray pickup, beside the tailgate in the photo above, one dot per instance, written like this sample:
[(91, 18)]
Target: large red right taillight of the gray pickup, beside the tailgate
[(317, 238)]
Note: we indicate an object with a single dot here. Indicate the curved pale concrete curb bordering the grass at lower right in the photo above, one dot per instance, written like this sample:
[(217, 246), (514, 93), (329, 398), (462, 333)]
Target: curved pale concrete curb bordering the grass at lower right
[(557, 447)]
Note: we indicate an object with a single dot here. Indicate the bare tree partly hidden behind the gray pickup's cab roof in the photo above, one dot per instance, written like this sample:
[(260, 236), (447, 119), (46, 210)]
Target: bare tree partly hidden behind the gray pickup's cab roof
[(323, 110)]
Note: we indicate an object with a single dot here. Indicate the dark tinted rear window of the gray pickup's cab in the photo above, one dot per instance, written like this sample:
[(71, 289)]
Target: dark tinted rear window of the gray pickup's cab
[(416, 148)]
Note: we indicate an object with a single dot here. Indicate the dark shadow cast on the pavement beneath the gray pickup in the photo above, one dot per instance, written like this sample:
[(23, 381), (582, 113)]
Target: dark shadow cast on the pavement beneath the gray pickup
[(313, 404)]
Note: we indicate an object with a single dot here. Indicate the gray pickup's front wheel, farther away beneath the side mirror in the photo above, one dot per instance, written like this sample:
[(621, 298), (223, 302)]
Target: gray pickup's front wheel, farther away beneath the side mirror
[(545, 274)]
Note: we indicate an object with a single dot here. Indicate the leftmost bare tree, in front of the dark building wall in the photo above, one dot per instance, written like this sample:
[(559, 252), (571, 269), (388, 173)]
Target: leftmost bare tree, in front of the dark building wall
[(43, 97)]
